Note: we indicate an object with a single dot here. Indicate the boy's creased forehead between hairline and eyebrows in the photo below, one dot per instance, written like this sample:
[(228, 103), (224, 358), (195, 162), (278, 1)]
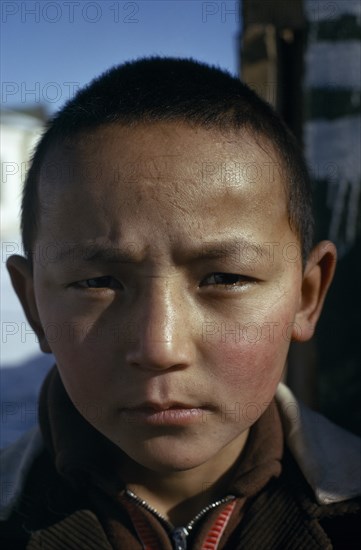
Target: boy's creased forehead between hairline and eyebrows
[(118, 176)]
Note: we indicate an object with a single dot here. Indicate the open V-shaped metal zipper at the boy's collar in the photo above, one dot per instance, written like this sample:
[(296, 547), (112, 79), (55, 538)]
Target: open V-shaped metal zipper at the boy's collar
[(178, 535)]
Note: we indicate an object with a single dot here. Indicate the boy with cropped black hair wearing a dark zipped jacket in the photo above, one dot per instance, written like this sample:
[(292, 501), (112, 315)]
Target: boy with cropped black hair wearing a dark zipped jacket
[(168, 234)]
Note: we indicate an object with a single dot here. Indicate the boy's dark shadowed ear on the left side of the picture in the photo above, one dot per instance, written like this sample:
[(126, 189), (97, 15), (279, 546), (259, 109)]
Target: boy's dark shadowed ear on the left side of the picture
[(22, 280)]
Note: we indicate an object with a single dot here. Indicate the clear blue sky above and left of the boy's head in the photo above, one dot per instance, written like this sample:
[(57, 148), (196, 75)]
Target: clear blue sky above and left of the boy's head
[(50, 48)]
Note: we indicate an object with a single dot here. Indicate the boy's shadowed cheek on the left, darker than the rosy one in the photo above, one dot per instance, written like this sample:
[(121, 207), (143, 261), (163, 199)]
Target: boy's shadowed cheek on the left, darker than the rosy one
[(86, 348)]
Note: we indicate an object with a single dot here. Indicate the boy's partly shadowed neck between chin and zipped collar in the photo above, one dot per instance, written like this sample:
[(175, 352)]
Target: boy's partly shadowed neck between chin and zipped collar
[(180, 495)]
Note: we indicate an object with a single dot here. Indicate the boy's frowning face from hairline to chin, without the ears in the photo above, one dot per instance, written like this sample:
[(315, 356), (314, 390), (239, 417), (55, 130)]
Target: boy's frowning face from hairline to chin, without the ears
[(171, 318)]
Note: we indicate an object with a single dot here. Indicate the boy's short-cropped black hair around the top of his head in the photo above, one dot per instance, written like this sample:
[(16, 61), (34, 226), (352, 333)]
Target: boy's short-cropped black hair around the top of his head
[(170, 89)]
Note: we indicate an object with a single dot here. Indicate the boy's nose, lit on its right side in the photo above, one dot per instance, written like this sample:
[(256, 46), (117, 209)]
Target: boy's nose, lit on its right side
[(163, 338)]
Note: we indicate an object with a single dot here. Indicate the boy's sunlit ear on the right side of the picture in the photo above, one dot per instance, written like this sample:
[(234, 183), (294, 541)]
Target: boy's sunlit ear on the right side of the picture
[(317, 278)]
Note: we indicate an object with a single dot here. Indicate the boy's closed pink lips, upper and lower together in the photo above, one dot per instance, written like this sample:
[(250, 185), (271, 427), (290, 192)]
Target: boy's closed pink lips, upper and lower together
[(164, 414)]
